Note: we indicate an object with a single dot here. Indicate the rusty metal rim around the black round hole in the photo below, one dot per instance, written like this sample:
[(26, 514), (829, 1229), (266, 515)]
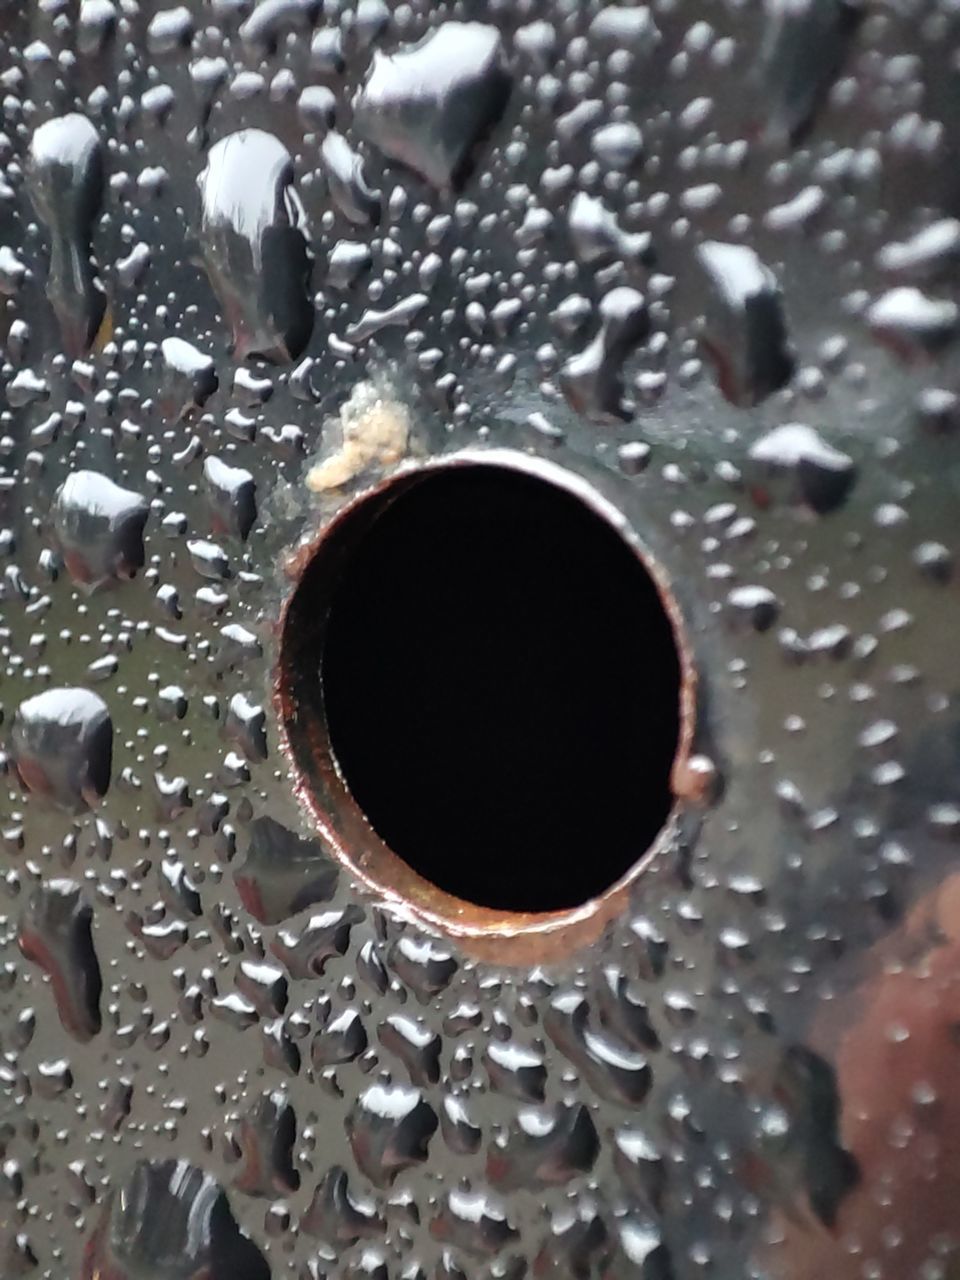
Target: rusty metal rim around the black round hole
[(487, 934)]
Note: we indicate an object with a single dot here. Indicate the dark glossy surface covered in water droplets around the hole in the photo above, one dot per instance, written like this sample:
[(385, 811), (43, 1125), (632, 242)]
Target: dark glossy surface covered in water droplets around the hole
[(705, 255)]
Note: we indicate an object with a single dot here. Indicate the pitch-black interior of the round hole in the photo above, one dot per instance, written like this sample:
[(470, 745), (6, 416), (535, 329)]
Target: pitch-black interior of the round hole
[(502, 689)]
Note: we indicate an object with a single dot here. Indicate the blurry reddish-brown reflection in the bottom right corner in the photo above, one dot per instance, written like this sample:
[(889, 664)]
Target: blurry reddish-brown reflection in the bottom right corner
[(897, 1050)]
